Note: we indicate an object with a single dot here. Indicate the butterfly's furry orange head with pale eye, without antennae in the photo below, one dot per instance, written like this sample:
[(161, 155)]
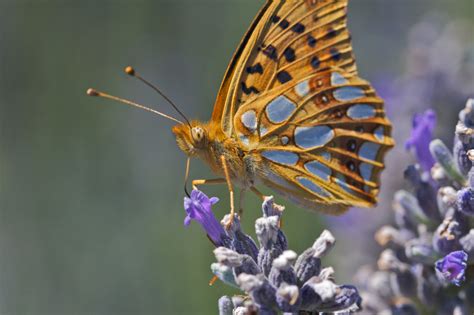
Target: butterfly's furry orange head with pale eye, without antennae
[(191, 138)]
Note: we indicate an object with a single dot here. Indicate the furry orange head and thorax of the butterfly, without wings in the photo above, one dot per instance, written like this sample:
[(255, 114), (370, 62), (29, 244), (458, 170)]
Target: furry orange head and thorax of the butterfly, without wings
[(208, 142)]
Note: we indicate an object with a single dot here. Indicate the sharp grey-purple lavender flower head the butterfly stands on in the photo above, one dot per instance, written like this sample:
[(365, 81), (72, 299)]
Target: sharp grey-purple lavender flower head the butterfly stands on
[(275, 279)]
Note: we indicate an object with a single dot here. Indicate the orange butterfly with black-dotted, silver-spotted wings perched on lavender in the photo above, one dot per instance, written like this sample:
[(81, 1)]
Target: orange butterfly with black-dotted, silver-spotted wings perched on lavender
[(293, 114)]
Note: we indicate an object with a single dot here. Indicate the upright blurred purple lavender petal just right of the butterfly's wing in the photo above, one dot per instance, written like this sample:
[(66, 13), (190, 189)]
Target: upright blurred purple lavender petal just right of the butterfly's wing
[(421, 136)]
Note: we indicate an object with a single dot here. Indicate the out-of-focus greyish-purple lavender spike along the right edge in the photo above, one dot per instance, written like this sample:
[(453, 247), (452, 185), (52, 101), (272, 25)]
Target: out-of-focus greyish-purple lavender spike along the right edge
[(425, 267)]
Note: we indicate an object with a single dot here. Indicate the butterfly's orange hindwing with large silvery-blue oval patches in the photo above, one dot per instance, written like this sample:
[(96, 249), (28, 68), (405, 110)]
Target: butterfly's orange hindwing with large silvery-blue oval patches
[(326, 134)]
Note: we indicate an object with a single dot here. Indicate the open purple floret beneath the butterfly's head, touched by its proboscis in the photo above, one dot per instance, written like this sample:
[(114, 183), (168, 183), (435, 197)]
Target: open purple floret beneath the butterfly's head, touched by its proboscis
[(198, 207)]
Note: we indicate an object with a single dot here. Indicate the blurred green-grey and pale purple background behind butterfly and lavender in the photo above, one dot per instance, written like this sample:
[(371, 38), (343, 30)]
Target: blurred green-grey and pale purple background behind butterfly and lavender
[(91, 216)]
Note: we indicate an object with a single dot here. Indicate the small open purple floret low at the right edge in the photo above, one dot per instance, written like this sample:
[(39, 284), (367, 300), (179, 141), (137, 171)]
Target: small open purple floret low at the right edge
[(452, 267)]
